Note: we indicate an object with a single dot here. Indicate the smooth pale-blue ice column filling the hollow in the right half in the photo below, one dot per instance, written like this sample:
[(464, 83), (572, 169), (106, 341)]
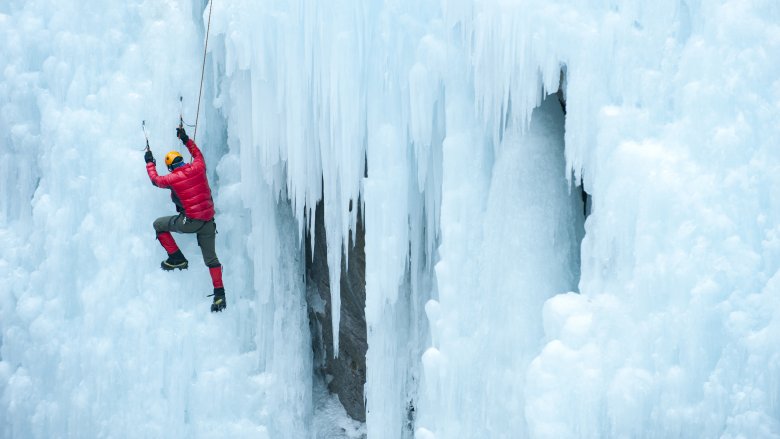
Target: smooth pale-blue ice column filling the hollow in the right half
[(523, 236)]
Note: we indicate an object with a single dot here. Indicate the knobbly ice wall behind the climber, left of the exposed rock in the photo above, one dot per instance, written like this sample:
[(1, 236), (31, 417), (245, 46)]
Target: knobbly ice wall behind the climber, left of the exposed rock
[(97, 341)]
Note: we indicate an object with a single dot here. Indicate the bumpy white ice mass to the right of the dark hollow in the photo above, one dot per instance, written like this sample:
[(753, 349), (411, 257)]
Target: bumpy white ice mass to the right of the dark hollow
[(671, 335)]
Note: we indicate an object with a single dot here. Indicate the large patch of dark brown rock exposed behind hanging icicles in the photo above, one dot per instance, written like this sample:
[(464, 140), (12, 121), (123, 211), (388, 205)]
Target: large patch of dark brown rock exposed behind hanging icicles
[(345, 375)]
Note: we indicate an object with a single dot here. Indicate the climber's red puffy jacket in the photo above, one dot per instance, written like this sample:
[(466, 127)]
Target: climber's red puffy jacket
[(190, 185)]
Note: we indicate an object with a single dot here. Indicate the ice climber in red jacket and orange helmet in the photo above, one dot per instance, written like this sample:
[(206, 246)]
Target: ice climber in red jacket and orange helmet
[(191, 194)]
